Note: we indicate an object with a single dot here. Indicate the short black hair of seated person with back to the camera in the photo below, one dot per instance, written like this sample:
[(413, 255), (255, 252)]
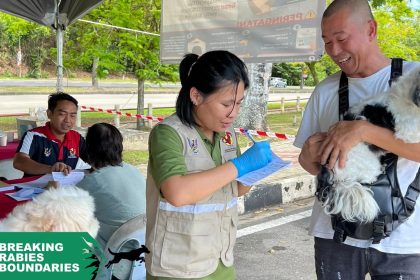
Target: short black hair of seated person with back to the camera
[(104, 145)]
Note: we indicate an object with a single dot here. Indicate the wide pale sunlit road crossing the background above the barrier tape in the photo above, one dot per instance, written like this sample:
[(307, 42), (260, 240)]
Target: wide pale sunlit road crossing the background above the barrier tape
[(15, 104)]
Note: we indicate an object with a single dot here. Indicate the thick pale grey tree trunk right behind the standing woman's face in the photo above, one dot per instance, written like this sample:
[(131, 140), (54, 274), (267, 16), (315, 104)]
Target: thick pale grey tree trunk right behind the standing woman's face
[(254, 108)]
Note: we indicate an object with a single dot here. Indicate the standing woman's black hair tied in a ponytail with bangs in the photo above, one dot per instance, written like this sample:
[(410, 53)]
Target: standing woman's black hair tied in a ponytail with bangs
[(207, 73)]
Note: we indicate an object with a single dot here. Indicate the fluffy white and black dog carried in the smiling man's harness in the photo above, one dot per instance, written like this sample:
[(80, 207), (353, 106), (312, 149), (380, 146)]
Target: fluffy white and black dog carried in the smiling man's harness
[(399, 110)]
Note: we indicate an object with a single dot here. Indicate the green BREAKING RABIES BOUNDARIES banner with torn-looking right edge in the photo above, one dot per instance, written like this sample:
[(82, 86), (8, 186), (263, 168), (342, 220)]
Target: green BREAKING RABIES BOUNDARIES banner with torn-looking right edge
[(51, 255)]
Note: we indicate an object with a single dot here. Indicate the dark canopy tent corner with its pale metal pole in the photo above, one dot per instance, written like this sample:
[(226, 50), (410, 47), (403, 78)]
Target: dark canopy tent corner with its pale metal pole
[(57, 14)]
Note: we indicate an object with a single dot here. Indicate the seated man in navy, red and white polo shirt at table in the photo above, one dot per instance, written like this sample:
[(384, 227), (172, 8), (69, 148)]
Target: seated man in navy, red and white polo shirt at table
[(53, 147)]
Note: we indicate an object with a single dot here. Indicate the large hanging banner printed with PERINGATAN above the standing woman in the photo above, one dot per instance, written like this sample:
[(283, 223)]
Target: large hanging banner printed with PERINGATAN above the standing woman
[(258, 31)]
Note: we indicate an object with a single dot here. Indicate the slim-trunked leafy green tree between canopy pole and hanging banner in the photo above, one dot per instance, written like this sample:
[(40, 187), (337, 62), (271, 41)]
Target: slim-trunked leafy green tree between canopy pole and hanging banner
[(127, 51)]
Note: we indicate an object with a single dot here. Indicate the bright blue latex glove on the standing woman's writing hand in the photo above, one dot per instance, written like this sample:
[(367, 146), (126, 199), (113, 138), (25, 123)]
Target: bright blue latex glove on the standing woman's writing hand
[(259, 155)]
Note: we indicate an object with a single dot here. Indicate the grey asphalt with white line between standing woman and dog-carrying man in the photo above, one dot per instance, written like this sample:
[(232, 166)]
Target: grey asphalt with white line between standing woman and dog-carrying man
[(274, 244)]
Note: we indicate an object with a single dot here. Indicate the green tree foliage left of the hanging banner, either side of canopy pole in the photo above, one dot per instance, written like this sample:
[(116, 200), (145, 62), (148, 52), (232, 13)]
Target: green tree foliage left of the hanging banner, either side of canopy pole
[(119, 51)]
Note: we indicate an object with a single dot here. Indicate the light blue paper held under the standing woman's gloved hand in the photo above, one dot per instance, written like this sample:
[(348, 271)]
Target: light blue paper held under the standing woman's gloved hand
[(275, 165)]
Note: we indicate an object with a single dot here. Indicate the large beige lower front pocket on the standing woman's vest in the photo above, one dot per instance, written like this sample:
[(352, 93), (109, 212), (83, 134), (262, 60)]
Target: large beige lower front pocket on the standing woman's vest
[(189, 246)]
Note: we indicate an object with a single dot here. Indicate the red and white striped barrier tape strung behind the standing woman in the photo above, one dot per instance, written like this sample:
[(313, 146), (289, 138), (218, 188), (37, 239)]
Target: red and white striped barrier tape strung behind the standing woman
[(159, 119)]
